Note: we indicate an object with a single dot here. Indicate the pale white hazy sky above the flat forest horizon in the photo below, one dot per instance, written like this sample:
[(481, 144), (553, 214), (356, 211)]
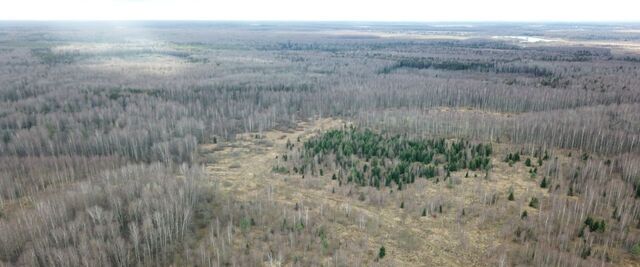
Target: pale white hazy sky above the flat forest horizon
[(353, 10)]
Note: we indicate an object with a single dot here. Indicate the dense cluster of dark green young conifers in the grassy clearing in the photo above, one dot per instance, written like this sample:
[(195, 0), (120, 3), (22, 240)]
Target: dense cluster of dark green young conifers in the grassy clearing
[(369, 159)]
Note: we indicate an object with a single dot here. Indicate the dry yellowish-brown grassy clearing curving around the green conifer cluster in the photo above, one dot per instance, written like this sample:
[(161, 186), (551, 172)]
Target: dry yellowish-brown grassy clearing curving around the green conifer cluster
[(468, 232)]
